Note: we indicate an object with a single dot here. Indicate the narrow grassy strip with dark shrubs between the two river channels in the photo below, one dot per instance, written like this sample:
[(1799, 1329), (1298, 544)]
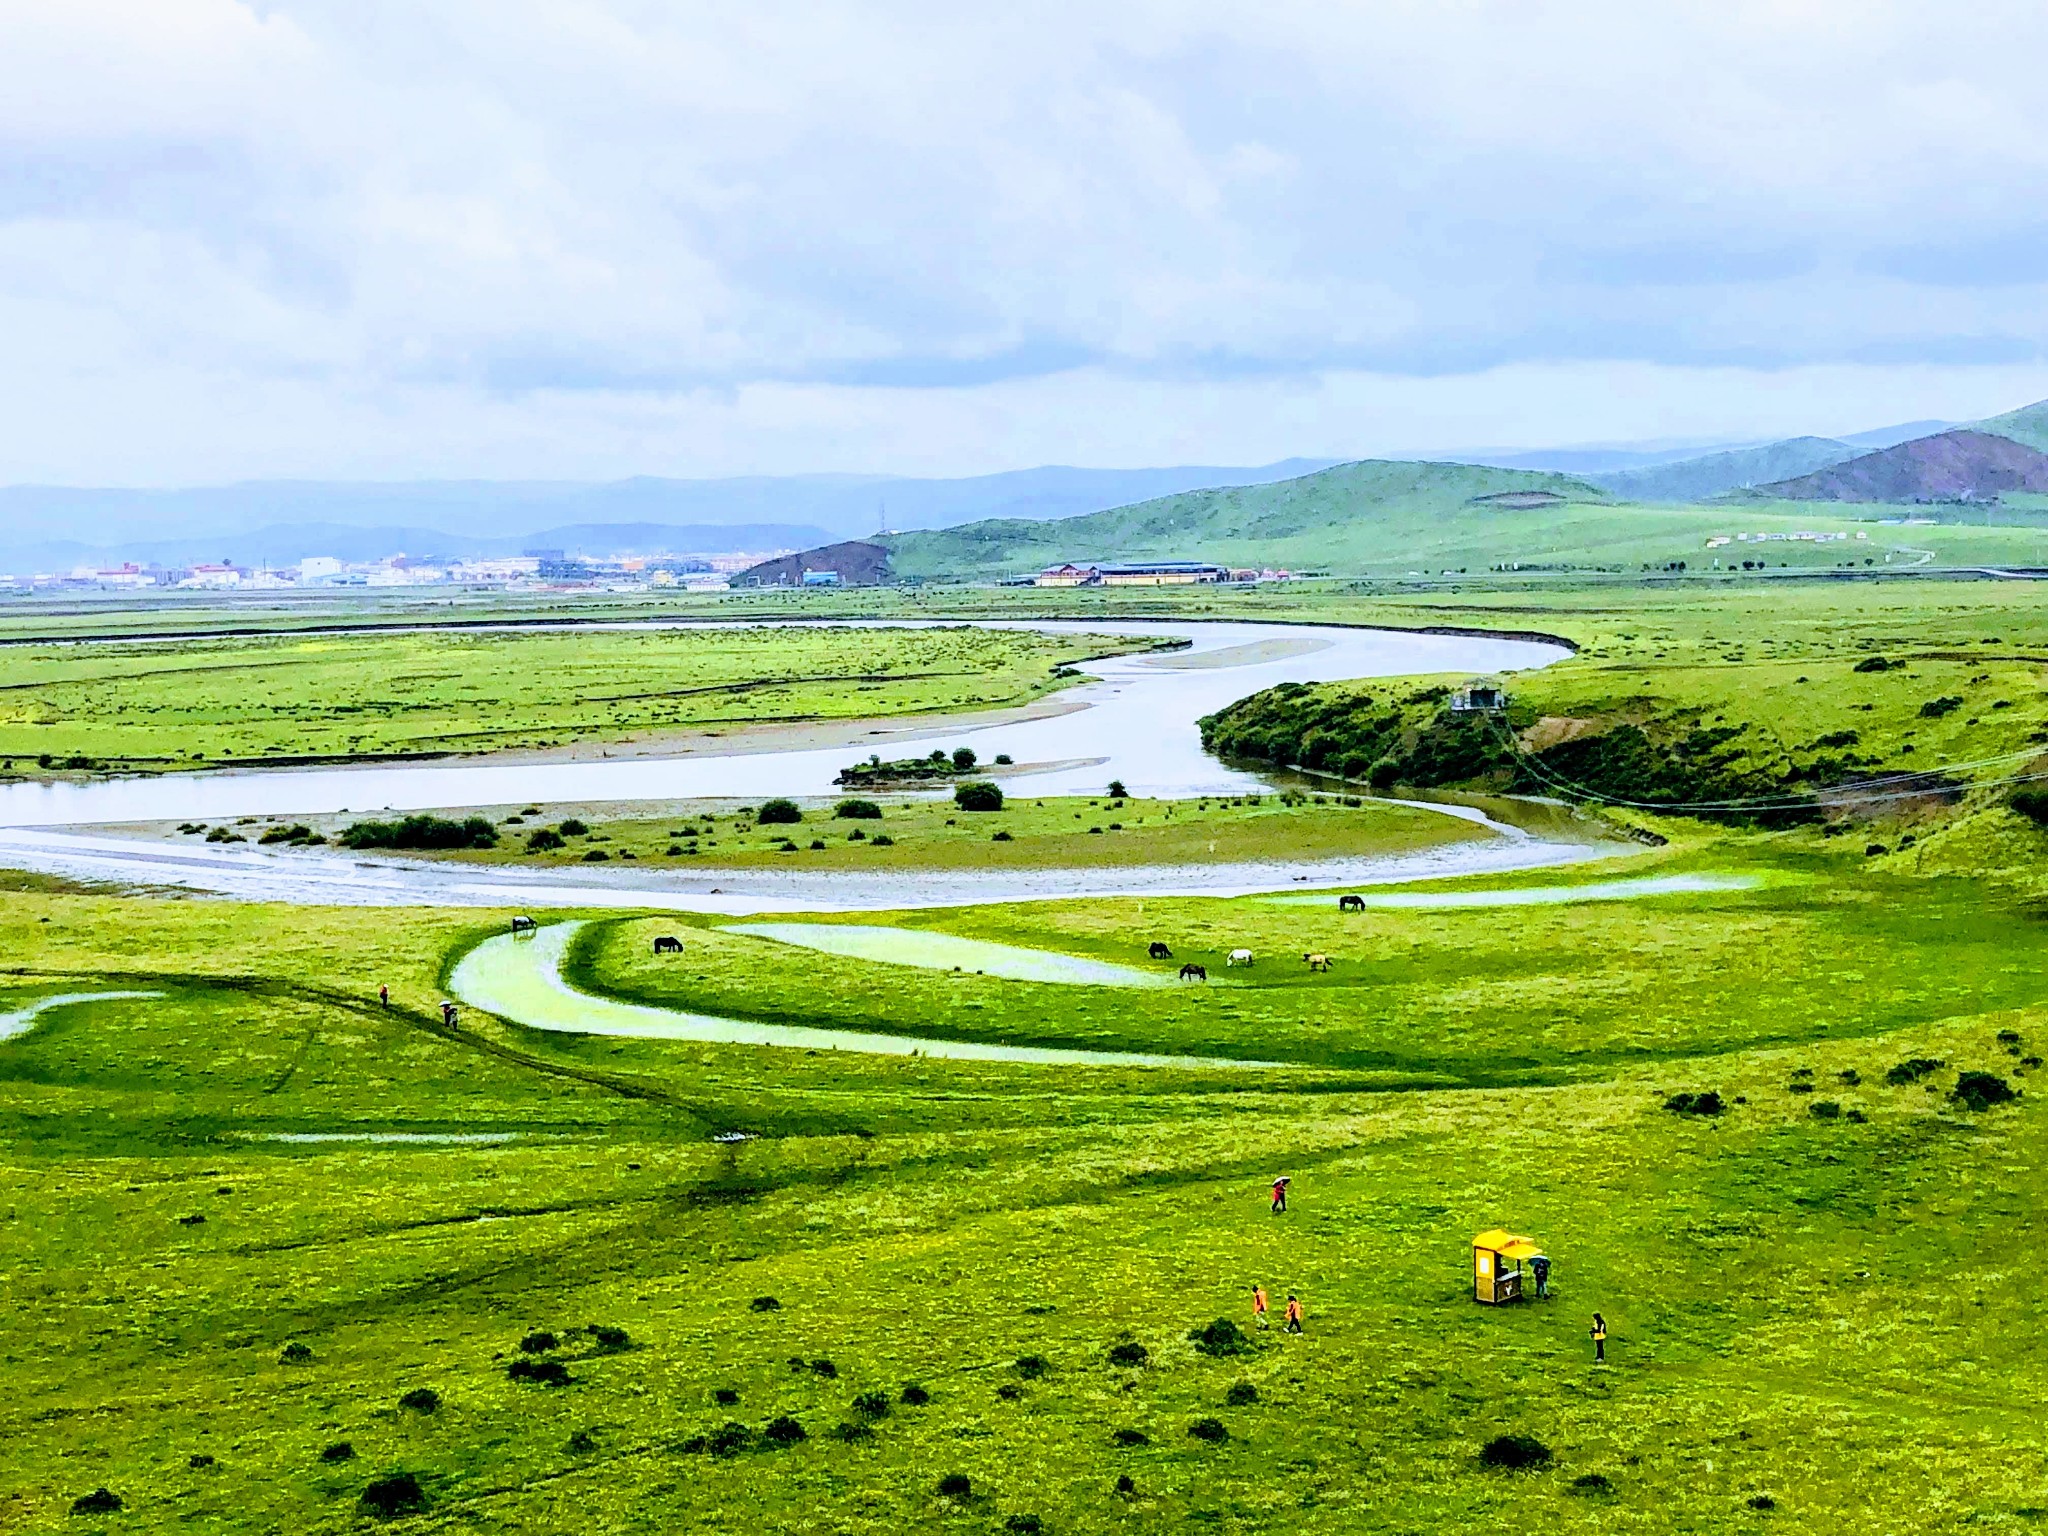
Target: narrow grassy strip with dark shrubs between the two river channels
[(1062, 833)]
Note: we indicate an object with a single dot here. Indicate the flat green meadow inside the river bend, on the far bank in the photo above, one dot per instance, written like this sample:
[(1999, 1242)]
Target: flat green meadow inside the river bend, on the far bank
[(361, 697)]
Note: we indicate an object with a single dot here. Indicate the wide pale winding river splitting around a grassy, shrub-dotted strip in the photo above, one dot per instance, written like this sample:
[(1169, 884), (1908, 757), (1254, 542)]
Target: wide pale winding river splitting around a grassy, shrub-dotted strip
[(1134, 722)]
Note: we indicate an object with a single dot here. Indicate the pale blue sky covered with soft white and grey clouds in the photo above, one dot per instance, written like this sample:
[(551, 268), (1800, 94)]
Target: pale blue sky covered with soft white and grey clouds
[(601, 239)]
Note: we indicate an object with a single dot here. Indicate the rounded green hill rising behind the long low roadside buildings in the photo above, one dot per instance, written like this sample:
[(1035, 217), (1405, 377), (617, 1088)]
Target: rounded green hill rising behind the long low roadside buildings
[(1351, 517)]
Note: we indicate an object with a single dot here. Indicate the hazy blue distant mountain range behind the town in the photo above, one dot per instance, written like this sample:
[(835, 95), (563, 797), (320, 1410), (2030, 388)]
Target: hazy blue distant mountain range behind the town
[(52, 527)]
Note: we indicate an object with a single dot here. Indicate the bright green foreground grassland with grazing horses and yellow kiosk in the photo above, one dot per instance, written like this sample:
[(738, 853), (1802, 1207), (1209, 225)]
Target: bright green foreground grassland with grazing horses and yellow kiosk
[(1816, 1312)]
